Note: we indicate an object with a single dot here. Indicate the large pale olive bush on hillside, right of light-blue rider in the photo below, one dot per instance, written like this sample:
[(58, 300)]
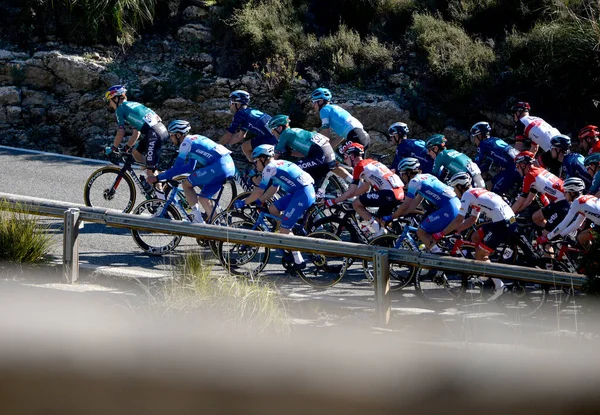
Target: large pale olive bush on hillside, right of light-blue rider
[(458, 61)]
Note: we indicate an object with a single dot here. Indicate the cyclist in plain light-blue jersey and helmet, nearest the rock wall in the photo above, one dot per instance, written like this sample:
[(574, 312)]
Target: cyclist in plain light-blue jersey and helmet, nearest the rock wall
[(336, 119)]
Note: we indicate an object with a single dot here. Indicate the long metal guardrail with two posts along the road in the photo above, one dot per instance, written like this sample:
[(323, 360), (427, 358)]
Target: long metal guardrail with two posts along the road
[(74, 213)]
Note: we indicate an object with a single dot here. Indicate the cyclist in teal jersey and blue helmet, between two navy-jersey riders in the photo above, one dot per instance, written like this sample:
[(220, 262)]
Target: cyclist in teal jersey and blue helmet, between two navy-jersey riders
[(451, 160)]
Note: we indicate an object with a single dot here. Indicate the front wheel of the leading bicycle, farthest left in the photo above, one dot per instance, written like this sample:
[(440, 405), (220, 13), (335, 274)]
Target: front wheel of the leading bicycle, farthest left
[(100, 190)]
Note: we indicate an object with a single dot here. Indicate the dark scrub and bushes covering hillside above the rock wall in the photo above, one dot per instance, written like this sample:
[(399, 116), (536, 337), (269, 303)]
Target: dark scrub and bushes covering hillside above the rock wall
[(465, 55)]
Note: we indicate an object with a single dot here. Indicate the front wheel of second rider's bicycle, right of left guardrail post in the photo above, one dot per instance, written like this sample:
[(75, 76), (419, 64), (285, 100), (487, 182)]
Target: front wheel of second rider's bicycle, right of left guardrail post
[(155, 243)]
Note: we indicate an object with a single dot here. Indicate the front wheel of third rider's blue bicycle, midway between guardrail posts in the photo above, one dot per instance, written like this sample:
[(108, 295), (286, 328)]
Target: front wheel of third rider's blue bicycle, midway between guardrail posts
[(242, 260)]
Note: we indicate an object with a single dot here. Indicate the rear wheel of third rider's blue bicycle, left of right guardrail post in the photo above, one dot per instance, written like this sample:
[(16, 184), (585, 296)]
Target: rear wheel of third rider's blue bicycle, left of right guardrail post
[(323, 271)]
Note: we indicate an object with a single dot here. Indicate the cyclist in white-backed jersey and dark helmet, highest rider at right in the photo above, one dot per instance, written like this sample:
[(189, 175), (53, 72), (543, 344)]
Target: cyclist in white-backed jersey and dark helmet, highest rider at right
[(532, 132)]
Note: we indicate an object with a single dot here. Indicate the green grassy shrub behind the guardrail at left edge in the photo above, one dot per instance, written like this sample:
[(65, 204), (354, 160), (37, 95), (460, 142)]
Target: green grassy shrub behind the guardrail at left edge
[(22, 238)]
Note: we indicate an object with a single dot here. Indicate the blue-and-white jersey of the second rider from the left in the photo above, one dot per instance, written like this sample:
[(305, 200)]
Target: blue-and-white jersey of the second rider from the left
[(195, 151)]
